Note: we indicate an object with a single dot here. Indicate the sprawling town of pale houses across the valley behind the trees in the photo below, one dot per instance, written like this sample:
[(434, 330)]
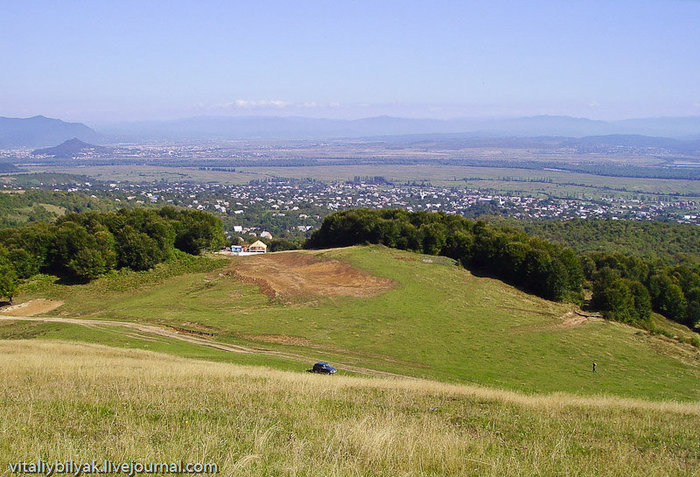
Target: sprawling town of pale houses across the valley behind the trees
[(301, 204)]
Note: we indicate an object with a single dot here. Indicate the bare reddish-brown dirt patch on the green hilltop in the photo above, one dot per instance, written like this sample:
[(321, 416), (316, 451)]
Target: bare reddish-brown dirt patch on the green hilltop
[(294, 274)]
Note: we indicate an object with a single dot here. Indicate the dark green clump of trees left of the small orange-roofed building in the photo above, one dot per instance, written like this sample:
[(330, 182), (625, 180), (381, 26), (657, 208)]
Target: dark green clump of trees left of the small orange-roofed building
[(82, 246)]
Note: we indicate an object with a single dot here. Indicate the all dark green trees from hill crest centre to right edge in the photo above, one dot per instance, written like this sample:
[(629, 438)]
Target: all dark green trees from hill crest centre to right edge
[(625, 287)]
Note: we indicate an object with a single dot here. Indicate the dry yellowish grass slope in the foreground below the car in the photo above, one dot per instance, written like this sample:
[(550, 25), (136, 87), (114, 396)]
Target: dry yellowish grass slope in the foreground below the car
[(86, 402)]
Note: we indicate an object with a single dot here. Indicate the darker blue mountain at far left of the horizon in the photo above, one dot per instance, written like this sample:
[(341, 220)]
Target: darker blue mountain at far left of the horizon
[(40, 131)]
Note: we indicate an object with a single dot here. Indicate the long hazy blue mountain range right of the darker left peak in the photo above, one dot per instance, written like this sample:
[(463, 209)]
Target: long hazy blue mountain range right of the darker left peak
[(228, 128)]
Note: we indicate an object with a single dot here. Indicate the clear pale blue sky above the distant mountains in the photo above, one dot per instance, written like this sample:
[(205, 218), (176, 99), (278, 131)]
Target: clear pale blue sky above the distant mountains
[(139, 60)]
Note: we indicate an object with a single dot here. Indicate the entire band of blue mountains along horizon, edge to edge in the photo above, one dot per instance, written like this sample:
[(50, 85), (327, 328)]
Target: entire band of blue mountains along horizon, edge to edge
[(39, 131)]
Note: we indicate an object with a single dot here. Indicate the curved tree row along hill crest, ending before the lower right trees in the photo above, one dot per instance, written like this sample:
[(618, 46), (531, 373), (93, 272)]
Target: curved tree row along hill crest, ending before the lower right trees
[(543, 268)]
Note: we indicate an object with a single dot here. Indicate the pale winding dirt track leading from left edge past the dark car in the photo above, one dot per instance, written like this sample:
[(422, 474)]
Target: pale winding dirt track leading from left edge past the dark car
[(169, 333)]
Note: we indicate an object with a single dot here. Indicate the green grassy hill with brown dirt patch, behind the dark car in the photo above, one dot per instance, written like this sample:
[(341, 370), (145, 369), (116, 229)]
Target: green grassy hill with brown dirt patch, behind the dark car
[(404, 313)]
